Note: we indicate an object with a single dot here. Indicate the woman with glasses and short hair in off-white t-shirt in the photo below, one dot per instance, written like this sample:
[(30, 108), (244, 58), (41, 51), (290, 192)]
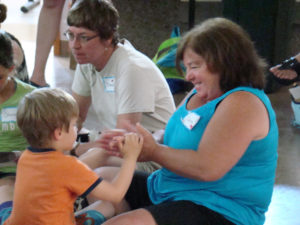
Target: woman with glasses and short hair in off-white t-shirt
[(122, 85)]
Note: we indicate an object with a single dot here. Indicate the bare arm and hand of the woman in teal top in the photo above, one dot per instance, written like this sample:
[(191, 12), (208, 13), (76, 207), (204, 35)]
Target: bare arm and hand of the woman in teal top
[(239, 119)]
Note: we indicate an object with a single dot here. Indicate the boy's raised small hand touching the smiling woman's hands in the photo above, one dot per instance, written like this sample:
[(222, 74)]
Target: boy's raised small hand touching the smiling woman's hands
[(130, 144)]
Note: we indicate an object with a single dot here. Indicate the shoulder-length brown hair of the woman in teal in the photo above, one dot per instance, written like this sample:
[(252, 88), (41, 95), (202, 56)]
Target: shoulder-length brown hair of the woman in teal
[(227, 50)]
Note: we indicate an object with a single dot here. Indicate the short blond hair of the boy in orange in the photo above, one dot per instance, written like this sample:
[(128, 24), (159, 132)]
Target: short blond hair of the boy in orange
[(44, 110)]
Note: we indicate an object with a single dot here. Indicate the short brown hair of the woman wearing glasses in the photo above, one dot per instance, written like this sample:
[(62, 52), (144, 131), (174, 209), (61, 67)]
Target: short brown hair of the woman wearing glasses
[(97, 15)]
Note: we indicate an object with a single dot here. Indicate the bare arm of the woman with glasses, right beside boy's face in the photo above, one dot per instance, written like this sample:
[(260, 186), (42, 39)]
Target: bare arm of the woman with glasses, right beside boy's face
[(84, 103)]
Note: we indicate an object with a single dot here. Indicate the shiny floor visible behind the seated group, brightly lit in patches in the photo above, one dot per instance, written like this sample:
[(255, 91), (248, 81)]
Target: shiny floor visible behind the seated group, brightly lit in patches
[(285, 206)]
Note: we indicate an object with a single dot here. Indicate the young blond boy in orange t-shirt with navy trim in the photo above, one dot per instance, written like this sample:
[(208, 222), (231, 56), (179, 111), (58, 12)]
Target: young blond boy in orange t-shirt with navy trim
[(48, 181)]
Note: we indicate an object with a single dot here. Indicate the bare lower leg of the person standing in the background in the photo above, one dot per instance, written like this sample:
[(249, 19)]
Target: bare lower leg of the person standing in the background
[(48, 27)]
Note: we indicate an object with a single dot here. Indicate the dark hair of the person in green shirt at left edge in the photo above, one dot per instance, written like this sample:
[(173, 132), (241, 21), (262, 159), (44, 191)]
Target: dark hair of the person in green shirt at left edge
[(6, 50)]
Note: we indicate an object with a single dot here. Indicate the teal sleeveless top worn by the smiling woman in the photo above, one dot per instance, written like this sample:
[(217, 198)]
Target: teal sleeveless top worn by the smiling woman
[(244, 193)]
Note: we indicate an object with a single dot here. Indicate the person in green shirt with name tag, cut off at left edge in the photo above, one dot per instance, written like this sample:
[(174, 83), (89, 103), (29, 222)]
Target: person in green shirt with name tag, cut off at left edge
[(12, 91)]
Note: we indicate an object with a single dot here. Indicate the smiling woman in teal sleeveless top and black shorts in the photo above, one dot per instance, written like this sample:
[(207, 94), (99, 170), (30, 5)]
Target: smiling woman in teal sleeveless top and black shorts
[(220, 147)]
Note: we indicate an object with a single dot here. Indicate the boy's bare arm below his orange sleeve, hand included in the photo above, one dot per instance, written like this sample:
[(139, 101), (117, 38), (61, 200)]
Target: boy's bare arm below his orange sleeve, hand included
[(116, 190)]
